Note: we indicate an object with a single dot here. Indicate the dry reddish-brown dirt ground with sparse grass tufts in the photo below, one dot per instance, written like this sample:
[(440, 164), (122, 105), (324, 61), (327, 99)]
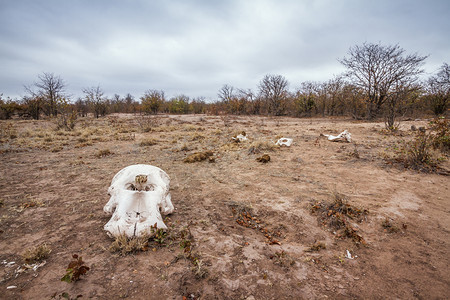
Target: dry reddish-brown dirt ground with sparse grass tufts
[(250, 226)]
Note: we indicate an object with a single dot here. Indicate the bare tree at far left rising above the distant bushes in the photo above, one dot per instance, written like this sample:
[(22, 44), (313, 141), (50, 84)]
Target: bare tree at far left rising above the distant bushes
[(49, 88)]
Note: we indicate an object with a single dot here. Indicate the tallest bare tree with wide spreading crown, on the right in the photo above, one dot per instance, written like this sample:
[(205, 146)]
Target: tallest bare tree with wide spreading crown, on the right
[(379, 69)]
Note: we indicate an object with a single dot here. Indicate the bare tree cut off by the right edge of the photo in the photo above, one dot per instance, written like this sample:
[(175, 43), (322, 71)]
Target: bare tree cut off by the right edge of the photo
[(439, 89)]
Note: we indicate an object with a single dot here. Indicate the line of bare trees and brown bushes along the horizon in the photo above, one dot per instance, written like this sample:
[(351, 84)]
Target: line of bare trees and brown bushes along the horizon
[(380, 82)]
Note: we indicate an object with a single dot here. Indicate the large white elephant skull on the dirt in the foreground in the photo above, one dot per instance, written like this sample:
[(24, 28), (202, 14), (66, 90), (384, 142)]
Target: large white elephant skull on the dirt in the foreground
[(139, 194)]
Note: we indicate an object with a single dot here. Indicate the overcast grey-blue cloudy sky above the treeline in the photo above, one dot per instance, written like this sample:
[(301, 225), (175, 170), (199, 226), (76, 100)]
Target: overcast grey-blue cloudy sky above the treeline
[(194, 47)]
